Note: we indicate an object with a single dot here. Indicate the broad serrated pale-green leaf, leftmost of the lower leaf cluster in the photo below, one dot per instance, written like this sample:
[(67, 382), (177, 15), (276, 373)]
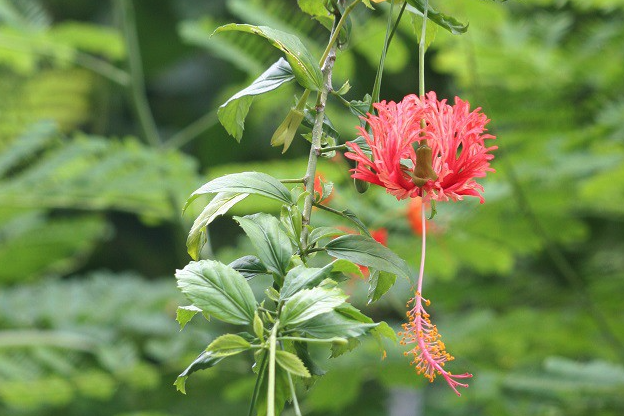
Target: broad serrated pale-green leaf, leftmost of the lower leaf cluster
[(218, 290)]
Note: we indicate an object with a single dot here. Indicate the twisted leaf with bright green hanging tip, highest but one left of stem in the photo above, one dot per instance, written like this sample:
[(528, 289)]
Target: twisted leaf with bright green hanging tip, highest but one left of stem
[(233, 112)]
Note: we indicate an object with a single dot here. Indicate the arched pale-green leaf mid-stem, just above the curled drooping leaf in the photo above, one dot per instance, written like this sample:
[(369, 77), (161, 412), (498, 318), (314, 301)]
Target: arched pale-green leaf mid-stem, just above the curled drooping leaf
[(256, 183)]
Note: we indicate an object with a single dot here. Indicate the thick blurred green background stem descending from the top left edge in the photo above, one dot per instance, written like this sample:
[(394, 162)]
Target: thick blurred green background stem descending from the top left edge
[(125, 10)]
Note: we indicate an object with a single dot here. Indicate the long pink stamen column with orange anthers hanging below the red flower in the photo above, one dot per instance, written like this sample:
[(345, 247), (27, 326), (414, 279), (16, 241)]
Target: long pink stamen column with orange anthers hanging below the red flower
[(429, 352)]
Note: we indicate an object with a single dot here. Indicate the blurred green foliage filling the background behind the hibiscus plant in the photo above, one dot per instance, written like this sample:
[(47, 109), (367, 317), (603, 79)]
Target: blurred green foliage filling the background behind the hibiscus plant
[(526, 289)]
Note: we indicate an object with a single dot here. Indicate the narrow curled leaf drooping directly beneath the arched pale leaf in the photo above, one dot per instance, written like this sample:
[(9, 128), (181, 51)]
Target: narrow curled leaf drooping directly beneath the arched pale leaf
[(219, 205)]
